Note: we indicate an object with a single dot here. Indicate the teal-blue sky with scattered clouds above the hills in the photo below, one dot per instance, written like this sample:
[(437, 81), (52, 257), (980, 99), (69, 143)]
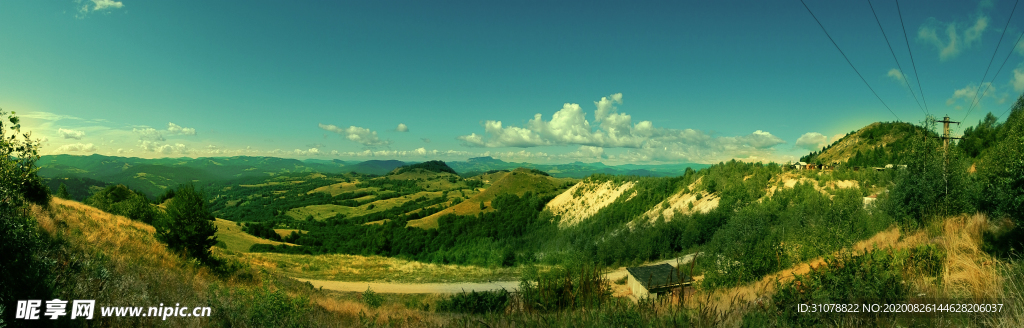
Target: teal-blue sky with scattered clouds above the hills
[(536, 81)]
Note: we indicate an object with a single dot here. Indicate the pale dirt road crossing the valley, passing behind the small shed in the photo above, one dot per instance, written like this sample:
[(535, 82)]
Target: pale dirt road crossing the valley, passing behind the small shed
[(448, 289)]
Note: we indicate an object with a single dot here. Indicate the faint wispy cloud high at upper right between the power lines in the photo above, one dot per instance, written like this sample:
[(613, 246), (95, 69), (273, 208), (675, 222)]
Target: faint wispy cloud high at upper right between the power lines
[(947, 36)]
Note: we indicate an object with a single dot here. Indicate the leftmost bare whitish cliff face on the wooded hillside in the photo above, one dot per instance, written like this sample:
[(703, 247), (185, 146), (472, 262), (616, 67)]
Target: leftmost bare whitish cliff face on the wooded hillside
[(585, 199)]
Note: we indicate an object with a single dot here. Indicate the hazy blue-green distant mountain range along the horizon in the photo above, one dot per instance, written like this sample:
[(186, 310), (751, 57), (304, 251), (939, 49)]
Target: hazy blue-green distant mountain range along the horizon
[(154, 177)]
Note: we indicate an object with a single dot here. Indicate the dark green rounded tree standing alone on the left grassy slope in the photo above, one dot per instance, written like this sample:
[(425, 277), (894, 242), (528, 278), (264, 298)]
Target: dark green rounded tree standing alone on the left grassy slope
[(189, 226)]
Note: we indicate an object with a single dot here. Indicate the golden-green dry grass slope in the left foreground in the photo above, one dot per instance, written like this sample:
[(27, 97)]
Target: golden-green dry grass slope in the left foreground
[(119, 263)]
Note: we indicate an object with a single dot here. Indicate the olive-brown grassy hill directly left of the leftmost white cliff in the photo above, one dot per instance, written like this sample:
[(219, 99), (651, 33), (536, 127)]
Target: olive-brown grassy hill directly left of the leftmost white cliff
[(518, 183)]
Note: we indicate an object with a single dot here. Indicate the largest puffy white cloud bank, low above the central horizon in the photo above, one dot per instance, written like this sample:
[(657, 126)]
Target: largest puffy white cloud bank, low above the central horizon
[(569, 127)]
